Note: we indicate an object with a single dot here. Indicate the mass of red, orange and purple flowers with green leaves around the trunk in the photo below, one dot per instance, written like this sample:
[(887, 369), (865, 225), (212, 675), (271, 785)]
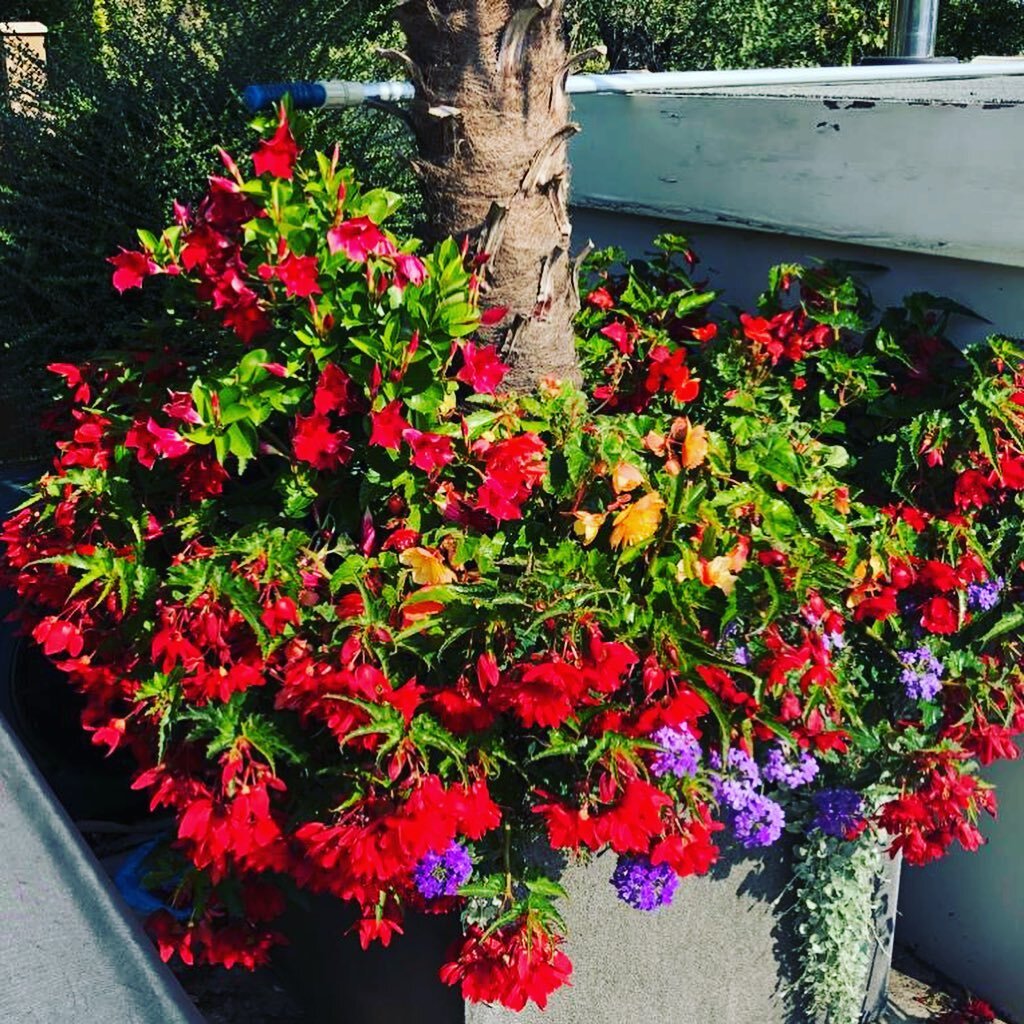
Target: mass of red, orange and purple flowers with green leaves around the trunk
[(377, 628)]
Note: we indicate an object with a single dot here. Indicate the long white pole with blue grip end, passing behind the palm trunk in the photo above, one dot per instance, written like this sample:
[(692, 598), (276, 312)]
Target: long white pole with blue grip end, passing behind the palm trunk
[(342, 95)]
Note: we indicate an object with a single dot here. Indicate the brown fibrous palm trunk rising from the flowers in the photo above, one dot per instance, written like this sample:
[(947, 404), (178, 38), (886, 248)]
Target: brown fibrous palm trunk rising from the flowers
[(492, 120)]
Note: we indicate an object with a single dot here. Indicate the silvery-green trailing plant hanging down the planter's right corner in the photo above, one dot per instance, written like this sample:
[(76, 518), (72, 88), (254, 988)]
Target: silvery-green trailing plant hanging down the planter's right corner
[(836, 906)]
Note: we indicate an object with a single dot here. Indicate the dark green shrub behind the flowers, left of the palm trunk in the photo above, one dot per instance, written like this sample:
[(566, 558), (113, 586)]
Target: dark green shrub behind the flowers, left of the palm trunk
[(140, 96)]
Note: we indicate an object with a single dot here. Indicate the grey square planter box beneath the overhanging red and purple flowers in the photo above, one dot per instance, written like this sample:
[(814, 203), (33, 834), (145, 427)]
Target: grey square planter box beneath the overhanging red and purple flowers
[(724, 952)]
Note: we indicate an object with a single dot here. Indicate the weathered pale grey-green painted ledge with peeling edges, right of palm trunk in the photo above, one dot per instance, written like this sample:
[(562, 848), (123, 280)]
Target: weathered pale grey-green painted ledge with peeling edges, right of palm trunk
[(924, 167)]
